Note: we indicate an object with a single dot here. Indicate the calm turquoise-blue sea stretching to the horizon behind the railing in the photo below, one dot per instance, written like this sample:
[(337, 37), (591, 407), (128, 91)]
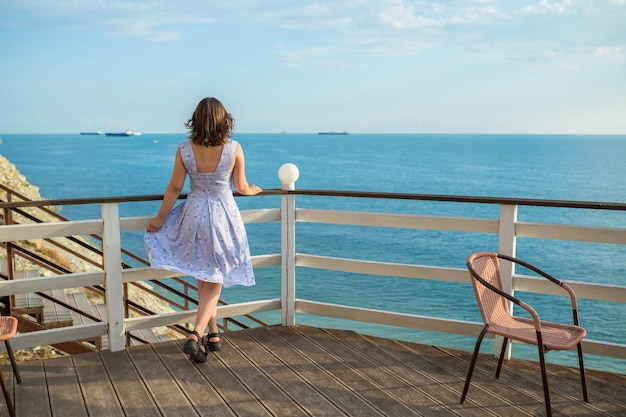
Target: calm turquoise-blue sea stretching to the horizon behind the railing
[(556, 167)]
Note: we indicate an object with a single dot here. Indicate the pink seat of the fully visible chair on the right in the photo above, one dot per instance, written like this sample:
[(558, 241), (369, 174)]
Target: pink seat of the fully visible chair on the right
[(555, 336)]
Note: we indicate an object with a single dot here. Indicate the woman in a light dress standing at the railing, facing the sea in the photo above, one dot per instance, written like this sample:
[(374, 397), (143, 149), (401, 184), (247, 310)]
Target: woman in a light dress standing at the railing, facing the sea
[(205, 237)]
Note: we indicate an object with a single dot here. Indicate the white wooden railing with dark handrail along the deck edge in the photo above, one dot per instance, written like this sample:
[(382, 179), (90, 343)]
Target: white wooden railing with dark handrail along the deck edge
[(113, 276)]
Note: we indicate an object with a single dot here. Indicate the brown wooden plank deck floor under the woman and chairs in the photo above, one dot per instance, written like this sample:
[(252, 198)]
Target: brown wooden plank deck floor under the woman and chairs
[(302, 371)]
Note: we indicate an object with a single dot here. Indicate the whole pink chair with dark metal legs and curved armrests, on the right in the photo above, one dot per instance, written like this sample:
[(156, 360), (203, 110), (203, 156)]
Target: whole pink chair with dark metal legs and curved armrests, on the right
[(484, 268)]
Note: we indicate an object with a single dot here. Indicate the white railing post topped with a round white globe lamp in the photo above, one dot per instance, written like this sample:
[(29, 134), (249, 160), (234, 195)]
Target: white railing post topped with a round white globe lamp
[(288, 174)]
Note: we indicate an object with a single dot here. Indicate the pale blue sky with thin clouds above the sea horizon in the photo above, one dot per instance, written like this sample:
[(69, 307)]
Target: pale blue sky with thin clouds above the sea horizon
[(481, 66)]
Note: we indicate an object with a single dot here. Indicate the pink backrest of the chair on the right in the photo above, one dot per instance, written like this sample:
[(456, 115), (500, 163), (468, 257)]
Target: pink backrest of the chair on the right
[(493, 307)]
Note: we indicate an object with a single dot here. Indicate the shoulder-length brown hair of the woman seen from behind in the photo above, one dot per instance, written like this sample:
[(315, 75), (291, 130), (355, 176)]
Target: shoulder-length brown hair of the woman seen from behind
[(211, 124)]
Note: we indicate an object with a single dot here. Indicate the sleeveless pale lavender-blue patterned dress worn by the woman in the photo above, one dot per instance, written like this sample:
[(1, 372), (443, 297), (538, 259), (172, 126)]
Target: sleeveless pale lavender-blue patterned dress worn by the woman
[(204, 237)]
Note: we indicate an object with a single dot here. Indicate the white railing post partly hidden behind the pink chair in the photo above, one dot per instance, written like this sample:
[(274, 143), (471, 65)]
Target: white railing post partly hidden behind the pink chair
[(507, 241)]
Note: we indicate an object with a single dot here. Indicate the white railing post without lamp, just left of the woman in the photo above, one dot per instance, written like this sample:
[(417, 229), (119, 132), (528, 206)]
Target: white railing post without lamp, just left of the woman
[(112, 254)]
